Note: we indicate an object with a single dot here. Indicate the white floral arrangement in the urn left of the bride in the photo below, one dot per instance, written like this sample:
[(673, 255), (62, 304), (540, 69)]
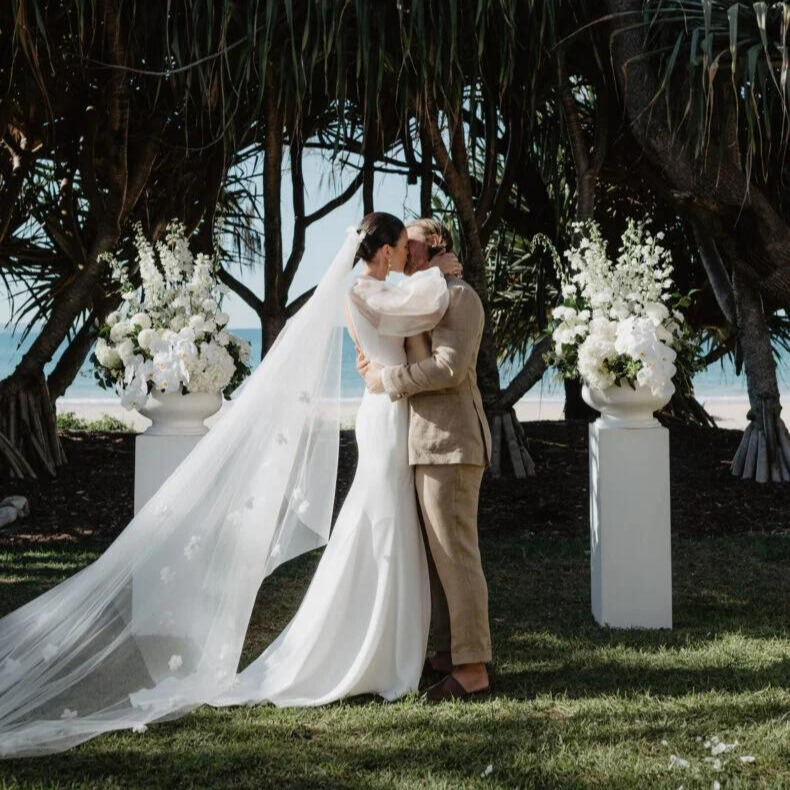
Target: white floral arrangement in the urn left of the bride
[(170, 334)]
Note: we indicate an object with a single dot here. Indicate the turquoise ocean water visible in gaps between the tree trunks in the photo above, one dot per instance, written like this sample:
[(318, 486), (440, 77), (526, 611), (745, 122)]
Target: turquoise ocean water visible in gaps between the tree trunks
[(719, 380)]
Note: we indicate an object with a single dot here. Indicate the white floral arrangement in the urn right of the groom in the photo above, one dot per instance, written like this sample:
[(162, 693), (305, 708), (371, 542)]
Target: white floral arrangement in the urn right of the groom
[(619, 321)]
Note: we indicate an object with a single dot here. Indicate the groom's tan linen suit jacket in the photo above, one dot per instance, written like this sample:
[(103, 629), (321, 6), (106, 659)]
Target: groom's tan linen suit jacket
[(448, 424)]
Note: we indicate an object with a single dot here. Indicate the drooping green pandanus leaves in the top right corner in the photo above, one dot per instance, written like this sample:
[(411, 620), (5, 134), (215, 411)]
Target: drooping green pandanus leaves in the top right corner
[(725, 63)]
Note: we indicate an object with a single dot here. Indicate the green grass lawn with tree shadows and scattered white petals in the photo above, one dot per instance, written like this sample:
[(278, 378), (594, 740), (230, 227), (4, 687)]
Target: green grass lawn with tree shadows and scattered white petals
[(576, 706)]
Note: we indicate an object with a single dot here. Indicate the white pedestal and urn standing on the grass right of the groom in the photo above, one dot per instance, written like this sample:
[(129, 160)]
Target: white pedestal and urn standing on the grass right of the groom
[(631, 566)]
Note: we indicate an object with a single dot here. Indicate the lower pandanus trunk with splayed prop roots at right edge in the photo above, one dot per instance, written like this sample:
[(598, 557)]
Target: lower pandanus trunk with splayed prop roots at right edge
[(764, 451)]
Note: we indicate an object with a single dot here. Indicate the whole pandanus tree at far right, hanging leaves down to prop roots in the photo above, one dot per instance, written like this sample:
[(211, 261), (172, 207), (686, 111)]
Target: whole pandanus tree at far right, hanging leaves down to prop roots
[(704, 91)]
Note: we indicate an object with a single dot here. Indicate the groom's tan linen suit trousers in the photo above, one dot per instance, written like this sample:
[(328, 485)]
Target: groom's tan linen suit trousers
[(448, 496)]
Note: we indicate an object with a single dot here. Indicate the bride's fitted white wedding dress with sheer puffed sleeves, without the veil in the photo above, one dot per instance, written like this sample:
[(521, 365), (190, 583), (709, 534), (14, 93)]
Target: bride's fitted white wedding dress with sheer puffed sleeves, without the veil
[(362, 627)]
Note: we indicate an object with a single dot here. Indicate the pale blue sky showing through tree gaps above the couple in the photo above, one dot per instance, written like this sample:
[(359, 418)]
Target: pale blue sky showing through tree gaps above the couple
[(324, 180)]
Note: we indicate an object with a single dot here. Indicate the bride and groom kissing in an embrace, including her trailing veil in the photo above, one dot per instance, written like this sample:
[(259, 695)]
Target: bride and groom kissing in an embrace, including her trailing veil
[(155, 626)]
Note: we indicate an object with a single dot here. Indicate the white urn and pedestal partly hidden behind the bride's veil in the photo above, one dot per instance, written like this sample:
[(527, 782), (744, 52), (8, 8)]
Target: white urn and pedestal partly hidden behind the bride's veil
[(177, 427)]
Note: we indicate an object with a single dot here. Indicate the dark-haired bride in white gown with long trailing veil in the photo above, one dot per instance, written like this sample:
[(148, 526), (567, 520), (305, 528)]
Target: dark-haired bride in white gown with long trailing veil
[(155, 627)]
